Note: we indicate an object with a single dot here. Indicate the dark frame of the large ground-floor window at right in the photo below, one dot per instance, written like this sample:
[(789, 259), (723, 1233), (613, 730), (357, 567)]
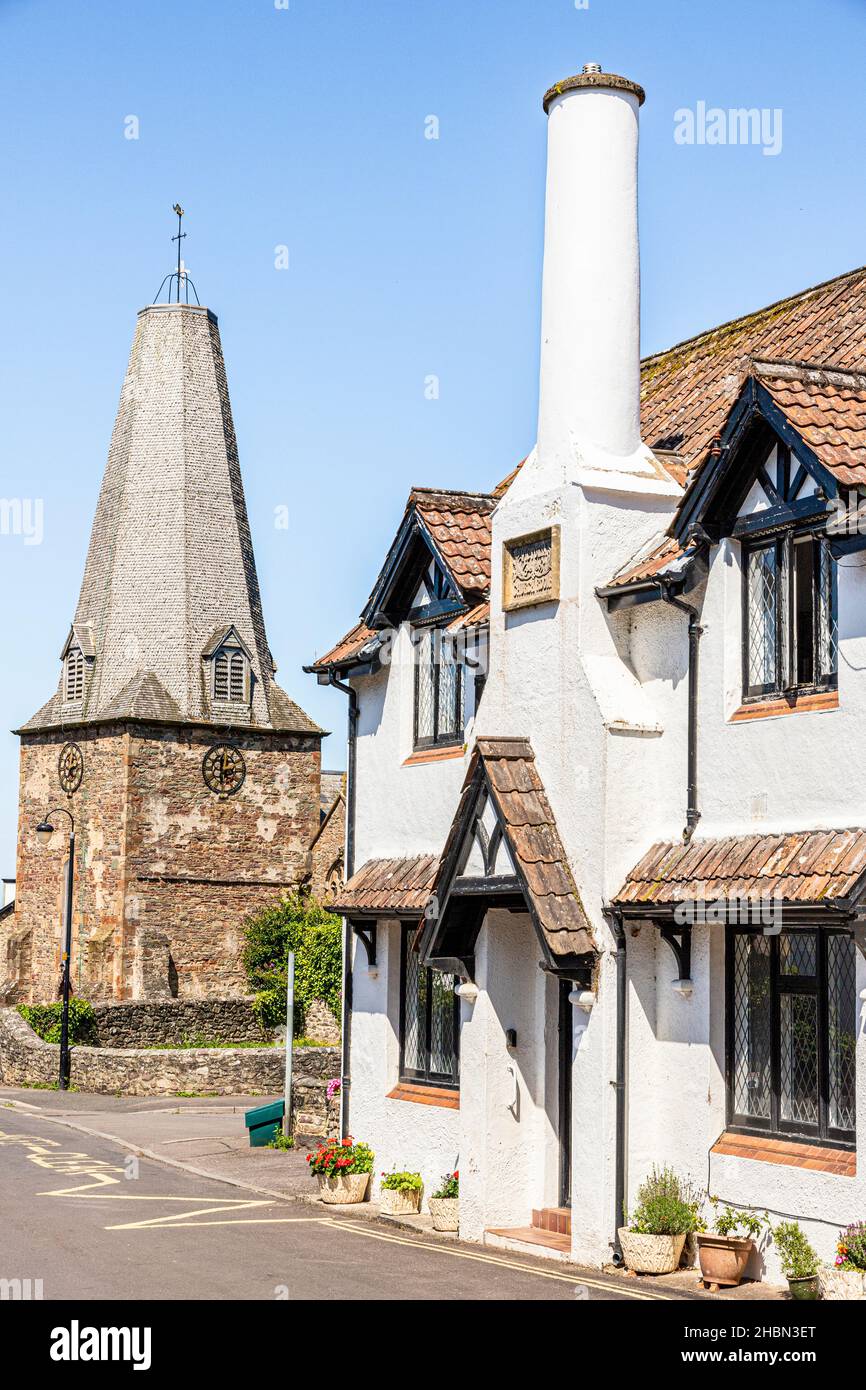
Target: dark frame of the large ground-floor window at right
[(781, 985)]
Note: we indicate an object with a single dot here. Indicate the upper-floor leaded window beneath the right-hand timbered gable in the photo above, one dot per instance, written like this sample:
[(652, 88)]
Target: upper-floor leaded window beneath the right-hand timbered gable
[(790, 616)]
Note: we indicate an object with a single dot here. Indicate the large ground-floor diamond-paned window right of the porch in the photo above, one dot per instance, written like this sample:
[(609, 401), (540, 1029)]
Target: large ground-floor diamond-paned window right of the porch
[(792, 1020)]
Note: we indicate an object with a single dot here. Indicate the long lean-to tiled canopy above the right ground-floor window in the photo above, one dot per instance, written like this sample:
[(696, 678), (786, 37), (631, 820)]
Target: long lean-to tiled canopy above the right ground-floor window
[(804, 878)]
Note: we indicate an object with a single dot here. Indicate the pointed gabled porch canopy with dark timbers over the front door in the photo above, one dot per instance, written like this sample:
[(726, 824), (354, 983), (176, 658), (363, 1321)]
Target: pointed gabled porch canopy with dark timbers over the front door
[(504, 851)]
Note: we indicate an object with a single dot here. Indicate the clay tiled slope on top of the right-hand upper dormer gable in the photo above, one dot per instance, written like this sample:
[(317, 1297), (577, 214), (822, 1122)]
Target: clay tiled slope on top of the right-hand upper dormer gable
[(831, 418)]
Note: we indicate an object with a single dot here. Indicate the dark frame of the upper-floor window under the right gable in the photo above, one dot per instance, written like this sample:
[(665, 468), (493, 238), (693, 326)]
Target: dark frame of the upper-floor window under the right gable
[(786, 639)]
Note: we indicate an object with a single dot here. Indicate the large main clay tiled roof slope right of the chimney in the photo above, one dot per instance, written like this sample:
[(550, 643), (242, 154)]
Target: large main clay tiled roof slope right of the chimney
[(689, 391)]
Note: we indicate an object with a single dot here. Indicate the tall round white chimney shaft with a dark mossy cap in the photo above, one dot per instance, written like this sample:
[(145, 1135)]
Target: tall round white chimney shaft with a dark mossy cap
[(589, 415)]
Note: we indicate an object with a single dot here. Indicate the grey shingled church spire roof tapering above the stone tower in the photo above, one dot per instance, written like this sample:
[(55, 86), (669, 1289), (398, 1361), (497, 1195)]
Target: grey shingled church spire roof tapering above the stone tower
[(170, 564)]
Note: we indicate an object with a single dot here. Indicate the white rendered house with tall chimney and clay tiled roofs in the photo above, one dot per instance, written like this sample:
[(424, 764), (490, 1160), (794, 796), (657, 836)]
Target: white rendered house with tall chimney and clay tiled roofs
[(608, 856)]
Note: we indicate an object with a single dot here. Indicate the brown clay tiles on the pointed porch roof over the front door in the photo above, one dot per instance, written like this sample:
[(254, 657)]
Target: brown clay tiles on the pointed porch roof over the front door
[(530, 833)]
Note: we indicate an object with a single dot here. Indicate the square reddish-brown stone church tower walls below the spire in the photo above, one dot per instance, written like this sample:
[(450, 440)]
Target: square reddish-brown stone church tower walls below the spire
[(158, 854)]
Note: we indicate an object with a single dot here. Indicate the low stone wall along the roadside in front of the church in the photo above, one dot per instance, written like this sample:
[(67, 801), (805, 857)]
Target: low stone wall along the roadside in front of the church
[(26, 1060)]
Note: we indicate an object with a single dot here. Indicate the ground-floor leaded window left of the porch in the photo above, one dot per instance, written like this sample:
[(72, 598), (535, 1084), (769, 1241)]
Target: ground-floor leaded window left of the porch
[(429, 1020)]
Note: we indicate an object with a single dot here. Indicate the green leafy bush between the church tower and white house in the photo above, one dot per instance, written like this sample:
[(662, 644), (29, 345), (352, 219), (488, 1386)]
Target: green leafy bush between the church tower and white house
[(301, 925)]
